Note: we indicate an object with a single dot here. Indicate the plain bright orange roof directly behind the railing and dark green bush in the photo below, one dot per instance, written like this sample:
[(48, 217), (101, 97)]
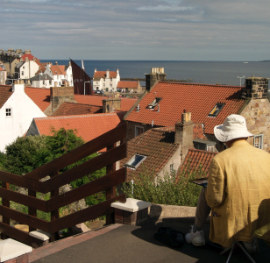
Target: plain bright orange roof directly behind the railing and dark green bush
[(87, 126)]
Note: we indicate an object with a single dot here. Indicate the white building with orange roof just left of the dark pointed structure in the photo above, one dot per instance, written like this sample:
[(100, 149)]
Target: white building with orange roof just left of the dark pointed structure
[(60, 74)]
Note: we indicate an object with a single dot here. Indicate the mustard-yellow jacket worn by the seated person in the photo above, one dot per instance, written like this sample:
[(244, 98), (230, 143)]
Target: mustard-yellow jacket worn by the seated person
[(238, 193)]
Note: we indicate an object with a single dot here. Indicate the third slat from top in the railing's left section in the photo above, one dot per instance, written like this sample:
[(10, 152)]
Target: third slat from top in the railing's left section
[(24, 218)]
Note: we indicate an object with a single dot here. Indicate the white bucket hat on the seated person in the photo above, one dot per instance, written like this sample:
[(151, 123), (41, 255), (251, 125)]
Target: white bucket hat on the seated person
[(234, 127)]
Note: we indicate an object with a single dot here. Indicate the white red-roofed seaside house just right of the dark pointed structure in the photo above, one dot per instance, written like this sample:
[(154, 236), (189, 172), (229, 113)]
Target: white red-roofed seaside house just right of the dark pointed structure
[(106, 80)]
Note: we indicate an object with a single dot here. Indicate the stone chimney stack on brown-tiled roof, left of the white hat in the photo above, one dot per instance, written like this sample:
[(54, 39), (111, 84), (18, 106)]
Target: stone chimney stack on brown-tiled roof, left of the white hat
[(184, 134)]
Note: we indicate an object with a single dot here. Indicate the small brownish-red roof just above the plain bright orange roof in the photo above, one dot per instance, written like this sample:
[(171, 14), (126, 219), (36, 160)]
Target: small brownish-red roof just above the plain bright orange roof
[(70, 108)]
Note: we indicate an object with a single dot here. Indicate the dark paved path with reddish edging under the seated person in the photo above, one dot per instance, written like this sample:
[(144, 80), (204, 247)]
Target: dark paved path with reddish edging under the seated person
[(124, 243)]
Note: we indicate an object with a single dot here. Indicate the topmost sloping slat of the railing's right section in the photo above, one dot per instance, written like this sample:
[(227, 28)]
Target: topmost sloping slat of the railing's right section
[(81, 152)]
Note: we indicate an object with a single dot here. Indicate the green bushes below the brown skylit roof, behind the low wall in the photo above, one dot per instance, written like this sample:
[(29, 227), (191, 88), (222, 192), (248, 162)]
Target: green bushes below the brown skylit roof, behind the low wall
[(166, 190)]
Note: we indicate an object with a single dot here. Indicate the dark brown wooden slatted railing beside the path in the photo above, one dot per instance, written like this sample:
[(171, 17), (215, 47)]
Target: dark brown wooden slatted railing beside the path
[(32, 182)]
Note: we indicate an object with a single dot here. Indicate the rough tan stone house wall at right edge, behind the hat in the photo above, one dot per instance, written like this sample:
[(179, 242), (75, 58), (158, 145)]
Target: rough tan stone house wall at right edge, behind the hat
[(257, 114)]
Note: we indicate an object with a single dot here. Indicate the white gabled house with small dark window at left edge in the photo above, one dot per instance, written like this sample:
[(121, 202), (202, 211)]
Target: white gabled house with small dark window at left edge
[(17, 111)]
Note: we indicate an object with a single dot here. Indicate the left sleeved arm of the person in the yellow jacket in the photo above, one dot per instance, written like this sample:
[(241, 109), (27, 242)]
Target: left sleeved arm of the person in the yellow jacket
[(215, 193)]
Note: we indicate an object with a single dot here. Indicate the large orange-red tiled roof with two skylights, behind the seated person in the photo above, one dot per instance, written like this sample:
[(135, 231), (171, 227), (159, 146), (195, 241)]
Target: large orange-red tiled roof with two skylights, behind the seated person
[(199, 99)]
